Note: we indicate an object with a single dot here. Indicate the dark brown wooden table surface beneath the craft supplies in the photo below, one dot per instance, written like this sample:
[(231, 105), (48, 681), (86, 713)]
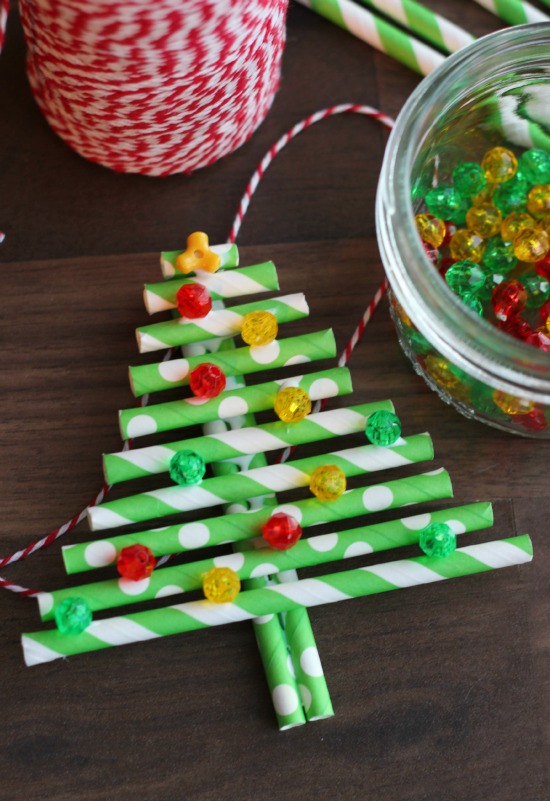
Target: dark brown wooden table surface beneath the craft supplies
[(440, 692)]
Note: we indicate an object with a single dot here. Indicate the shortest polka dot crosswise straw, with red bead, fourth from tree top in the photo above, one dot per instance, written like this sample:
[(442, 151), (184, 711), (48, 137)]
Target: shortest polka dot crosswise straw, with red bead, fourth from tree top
[(159, 376)]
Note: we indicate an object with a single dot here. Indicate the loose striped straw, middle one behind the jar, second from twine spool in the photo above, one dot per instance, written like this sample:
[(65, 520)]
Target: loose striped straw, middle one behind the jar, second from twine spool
[(420, 19)]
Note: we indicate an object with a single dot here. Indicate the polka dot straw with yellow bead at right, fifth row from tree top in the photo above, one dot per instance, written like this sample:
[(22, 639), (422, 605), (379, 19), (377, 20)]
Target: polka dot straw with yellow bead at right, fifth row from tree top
[(231, 403)]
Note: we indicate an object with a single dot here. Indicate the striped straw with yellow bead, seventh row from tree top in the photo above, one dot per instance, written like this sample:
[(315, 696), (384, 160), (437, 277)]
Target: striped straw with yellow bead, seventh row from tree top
[(253, 483)]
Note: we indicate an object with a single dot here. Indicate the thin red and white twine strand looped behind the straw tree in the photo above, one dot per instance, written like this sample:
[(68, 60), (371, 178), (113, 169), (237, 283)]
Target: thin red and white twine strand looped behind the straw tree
[(355, 338)]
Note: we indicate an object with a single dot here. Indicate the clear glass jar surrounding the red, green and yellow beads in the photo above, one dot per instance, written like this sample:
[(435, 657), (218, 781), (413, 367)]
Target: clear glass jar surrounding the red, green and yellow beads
[(494, 92)]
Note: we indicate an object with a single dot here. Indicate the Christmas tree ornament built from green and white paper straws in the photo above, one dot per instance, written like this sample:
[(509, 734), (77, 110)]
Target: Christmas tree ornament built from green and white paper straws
[(243, 482)]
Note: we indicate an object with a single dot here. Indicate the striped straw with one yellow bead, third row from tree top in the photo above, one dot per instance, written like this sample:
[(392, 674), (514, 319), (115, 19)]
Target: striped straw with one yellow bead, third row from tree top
[(226, 322)]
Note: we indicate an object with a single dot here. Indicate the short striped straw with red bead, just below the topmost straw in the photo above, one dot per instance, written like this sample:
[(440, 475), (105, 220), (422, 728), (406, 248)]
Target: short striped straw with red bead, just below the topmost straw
[(224, 284)]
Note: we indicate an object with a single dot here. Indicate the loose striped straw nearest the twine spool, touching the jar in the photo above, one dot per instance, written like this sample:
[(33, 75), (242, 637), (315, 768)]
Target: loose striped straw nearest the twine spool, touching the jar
[(378, 33)]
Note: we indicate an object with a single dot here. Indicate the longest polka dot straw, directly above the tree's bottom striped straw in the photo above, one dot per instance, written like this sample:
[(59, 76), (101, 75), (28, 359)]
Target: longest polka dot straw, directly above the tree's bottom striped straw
[(256, 563)]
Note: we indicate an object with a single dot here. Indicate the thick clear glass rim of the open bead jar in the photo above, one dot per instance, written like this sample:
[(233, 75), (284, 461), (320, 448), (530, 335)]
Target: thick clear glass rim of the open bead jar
[(460, 330)]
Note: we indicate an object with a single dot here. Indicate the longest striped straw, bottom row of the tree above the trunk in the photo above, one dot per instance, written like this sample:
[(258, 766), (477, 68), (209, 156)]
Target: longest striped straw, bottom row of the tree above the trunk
[(44, 646)]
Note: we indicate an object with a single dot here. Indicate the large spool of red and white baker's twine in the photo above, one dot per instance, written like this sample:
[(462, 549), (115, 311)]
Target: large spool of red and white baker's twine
[(154, 88)]
